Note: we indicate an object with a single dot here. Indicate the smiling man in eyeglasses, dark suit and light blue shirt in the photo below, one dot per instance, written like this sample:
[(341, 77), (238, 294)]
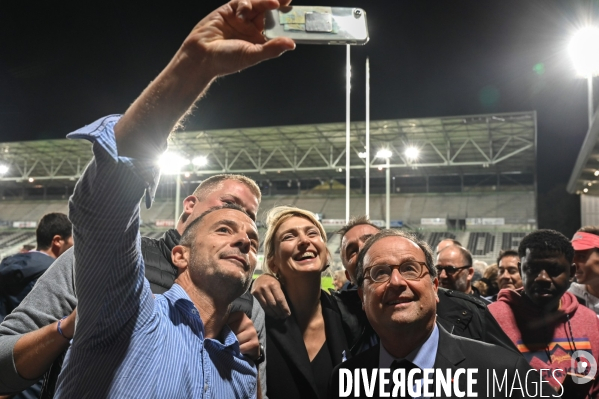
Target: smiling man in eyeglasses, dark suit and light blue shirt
[(398, 286)]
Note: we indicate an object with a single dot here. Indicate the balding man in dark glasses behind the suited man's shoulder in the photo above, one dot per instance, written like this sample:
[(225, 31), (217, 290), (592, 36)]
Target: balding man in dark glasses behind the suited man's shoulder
[(455, 271)]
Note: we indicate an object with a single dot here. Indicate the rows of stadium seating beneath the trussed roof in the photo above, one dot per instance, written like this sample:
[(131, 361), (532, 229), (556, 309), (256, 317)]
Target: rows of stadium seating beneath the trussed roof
[(485, 242)]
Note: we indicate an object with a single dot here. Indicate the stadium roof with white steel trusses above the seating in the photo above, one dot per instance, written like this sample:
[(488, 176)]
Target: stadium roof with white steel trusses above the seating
[(476, 144)]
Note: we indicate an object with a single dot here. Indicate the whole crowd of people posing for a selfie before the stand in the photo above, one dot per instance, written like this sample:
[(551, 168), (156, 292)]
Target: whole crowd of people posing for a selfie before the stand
[(104, 312)]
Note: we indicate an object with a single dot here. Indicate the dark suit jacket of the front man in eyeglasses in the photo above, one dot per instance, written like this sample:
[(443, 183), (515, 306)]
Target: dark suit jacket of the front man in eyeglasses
[(453, 353)]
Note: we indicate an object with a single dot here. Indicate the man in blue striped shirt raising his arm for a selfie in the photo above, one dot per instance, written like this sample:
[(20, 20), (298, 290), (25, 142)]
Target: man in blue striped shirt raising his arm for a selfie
[(128, 343)]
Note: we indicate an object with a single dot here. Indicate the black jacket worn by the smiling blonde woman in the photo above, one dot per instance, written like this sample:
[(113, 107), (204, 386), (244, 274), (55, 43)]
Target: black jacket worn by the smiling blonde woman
[(288, 366)]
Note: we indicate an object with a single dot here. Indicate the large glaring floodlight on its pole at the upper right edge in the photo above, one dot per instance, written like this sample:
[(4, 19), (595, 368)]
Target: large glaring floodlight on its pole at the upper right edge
[(584, 50)]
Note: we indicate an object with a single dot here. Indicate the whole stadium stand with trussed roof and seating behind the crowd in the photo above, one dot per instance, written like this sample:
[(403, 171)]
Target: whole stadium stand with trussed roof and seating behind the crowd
[(474, 178)]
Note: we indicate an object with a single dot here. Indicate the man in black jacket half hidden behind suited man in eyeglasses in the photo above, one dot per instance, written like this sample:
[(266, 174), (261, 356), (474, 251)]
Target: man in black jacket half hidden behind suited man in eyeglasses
[(458, 313)]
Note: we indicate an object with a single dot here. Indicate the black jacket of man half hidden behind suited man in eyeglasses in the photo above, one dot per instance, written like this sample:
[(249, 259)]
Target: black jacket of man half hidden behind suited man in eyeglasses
[(460, 314)]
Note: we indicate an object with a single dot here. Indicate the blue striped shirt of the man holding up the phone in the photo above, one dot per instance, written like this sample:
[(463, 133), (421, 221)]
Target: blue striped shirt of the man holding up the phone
[(128, 343)]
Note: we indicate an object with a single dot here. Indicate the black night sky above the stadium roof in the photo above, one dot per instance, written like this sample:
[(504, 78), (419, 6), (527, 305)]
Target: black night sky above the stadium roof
[(65, 64)]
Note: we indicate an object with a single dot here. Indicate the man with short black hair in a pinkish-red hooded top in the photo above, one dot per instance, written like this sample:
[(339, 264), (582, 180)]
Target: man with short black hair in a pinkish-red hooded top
[(546, 322)]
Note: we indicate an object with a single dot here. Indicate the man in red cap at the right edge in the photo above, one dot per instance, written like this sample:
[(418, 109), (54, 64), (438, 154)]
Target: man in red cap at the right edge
[(586, 258)]
